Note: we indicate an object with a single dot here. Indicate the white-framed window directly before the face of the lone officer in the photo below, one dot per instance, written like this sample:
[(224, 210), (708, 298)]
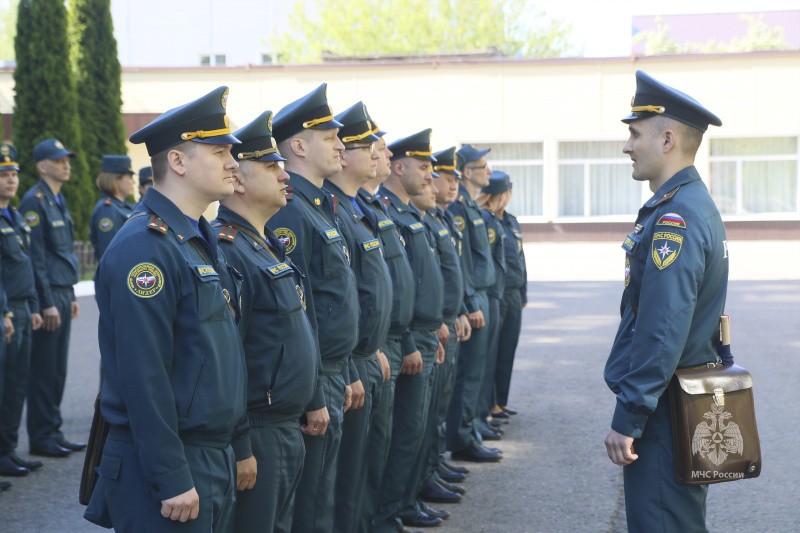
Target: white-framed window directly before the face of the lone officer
[(594, 179)]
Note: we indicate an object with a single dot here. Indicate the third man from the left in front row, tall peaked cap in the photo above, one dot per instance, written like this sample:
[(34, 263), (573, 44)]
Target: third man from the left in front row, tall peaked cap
[(306, 134)]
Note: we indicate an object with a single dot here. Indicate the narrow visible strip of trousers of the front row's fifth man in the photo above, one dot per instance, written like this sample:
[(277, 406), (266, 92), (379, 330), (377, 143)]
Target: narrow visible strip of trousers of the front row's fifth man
[(378, 452)]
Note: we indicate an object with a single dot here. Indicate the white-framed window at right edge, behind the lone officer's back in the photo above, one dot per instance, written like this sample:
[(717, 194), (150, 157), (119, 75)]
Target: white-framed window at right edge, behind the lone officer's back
[(754, 175)]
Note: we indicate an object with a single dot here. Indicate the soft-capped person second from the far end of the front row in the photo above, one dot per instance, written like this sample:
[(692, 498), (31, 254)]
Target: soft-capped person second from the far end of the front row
[(489, 201)]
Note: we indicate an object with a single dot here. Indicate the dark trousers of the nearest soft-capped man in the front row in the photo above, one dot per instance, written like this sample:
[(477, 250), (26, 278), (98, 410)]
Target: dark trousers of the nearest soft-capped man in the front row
[(462, 417)]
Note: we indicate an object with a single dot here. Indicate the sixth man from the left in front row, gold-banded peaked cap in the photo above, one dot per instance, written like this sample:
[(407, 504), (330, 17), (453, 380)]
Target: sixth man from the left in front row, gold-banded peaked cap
[(412, 161)]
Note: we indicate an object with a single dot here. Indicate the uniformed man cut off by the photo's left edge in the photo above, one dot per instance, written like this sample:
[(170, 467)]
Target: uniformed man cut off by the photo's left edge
[(21, 315)]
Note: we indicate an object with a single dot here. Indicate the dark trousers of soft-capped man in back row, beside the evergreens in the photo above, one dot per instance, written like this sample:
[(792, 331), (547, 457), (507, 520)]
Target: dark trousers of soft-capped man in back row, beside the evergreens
[(49, 374)]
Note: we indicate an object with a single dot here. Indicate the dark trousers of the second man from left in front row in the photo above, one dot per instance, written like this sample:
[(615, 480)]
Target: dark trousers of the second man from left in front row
[(279, 452)]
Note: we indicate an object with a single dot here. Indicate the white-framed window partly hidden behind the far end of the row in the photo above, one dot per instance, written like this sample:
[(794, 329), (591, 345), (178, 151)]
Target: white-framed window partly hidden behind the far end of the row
[(524, 163)]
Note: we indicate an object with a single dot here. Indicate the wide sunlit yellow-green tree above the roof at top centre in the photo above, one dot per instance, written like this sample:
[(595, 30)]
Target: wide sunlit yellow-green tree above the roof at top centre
[(377, 27)]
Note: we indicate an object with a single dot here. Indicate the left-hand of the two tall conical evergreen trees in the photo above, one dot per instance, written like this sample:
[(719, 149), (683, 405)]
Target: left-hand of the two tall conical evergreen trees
[(45, 101)]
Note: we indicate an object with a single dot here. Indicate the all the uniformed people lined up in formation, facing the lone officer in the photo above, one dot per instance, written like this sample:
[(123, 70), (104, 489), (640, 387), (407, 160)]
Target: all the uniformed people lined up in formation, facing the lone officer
[(311, 354)]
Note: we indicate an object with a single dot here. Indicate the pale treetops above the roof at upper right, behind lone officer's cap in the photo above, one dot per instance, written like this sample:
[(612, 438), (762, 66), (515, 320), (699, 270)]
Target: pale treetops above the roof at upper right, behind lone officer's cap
[(758, 36)]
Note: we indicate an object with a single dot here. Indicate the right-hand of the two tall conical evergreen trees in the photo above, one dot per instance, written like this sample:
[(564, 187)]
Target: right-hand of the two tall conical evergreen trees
[(98, 81)]
